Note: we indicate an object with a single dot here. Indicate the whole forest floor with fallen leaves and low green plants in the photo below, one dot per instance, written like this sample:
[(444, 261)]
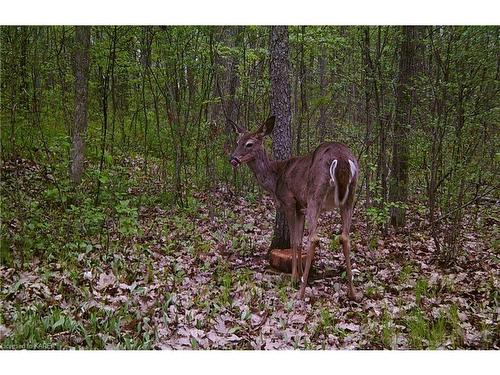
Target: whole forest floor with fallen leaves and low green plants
[(199, 278)]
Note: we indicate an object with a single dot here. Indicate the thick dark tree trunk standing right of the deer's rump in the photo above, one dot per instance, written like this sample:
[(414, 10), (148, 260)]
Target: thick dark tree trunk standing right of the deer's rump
[(398, 187)]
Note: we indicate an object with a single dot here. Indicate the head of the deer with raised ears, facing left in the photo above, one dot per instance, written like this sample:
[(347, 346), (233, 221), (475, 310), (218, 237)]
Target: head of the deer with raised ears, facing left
[(249, 144)]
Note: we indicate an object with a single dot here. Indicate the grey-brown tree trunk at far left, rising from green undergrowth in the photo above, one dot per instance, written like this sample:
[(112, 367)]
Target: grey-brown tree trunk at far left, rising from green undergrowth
[(82, 44)]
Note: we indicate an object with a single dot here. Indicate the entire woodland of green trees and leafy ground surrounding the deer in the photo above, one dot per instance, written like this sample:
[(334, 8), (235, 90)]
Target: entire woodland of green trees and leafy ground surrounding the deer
[(123, 224)]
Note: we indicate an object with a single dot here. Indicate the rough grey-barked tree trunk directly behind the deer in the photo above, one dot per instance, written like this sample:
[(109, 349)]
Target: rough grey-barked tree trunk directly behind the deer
[(280, 107)]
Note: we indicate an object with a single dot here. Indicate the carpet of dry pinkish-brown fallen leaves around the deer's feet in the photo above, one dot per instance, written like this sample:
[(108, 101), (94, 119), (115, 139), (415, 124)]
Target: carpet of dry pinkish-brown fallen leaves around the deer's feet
[(201, 280)]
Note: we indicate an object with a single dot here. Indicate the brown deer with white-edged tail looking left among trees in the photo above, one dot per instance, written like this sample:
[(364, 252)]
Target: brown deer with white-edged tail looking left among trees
[(303, 187)]
